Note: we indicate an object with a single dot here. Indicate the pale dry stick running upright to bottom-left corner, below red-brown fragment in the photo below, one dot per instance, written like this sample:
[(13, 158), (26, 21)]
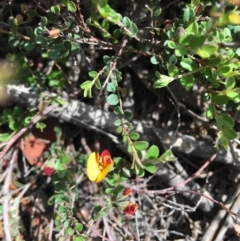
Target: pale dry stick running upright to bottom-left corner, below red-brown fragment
[(6, 198)]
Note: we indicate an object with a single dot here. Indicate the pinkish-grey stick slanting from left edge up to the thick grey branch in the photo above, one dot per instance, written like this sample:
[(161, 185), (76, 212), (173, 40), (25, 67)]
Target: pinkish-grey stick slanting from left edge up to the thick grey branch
[(35, 119)]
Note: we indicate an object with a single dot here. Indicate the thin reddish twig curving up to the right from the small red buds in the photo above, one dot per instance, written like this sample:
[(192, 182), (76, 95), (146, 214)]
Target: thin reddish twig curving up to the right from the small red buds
[(188, 179)]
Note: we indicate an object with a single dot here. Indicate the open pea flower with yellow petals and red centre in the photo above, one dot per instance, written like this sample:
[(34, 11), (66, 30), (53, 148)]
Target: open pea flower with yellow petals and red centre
[(98, 166)]
